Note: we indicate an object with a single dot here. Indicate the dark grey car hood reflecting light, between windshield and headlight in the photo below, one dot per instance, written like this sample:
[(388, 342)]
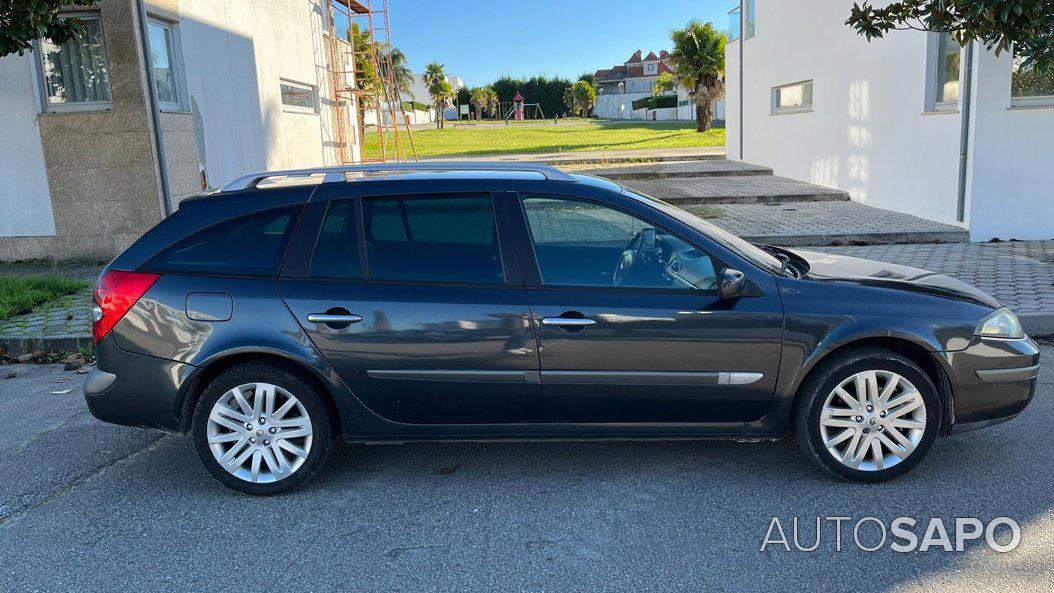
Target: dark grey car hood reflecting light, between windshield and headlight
[(868, 272)]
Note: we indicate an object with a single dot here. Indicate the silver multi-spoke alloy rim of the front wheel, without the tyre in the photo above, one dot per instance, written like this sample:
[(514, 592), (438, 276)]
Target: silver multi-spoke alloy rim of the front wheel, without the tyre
[(873, 421)]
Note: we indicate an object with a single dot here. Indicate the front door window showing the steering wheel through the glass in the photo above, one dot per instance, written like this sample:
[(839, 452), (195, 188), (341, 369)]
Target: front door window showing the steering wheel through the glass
[(583, 244)]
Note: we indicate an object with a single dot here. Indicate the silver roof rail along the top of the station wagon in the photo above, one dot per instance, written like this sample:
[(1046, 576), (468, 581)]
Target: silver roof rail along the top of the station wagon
[(339, 174)]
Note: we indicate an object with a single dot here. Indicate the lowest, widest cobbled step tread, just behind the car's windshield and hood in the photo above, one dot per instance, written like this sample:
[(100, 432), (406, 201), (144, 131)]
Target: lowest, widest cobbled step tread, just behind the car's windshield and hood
[(824, 224)]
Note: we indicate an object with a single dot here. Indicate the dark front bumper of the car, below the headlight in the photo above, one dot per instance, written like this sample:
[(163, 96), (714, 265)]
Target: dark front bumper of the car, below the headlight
[(992, 382)]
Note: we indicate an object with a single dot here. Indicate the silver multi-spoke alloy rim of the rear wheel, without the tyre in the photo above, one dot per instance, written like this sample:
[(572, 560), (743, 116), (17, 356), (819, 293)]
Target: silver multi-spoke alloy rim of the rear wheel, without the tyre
[(260, 432)]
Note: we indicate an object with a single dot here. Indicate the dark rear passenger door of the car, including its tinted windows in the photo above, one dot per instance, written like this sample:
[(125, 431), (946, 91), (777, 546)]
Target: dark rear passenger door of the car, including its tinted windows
[(417, 301)]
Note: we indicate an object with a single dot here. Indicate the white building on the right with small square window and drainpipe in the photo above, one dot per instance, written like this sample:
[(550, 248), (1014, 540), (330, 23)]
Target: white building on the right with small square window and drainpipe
[(888, 121)]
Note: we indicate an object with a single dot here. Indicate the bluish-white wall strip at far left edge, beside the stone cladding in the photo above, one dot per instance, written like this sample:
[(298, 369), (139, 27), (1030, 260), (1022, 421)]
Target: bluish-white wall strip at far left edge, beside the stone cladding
[(26, 203)]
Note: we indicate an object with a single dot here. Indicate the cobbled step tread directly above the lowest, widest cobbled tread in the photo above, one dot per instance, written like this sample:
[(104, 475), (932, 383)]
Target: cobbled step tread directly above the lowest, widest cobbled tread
[(741, 189)]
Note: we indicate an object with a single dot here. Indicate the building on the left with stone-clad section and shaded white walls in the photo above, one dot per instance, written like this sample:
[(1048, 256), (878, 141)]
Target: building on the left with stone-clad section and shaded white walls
[(94, 153)]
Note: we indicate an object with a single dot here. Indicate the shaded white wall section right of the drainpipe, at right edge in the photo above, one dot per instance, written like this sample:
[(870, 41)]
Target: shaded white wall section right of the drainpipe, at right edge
[(1010, 193)]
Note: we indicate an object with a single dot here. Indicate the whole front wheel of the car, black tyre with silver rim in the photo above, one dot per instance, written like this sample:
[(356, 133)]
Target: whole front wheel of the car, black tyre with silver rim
[(868, 416)]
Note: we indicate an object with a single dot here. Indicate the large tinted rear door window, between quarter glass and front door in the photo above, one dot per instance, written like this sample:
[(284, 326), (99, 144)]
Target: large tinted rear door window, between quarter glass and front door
[(433, 240)]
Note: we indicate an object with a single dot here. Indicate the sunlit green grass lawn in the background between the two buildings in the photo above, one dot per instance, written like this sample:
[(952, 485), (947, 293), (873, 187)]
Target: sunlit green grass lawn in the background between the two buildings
[(466, 141)]
